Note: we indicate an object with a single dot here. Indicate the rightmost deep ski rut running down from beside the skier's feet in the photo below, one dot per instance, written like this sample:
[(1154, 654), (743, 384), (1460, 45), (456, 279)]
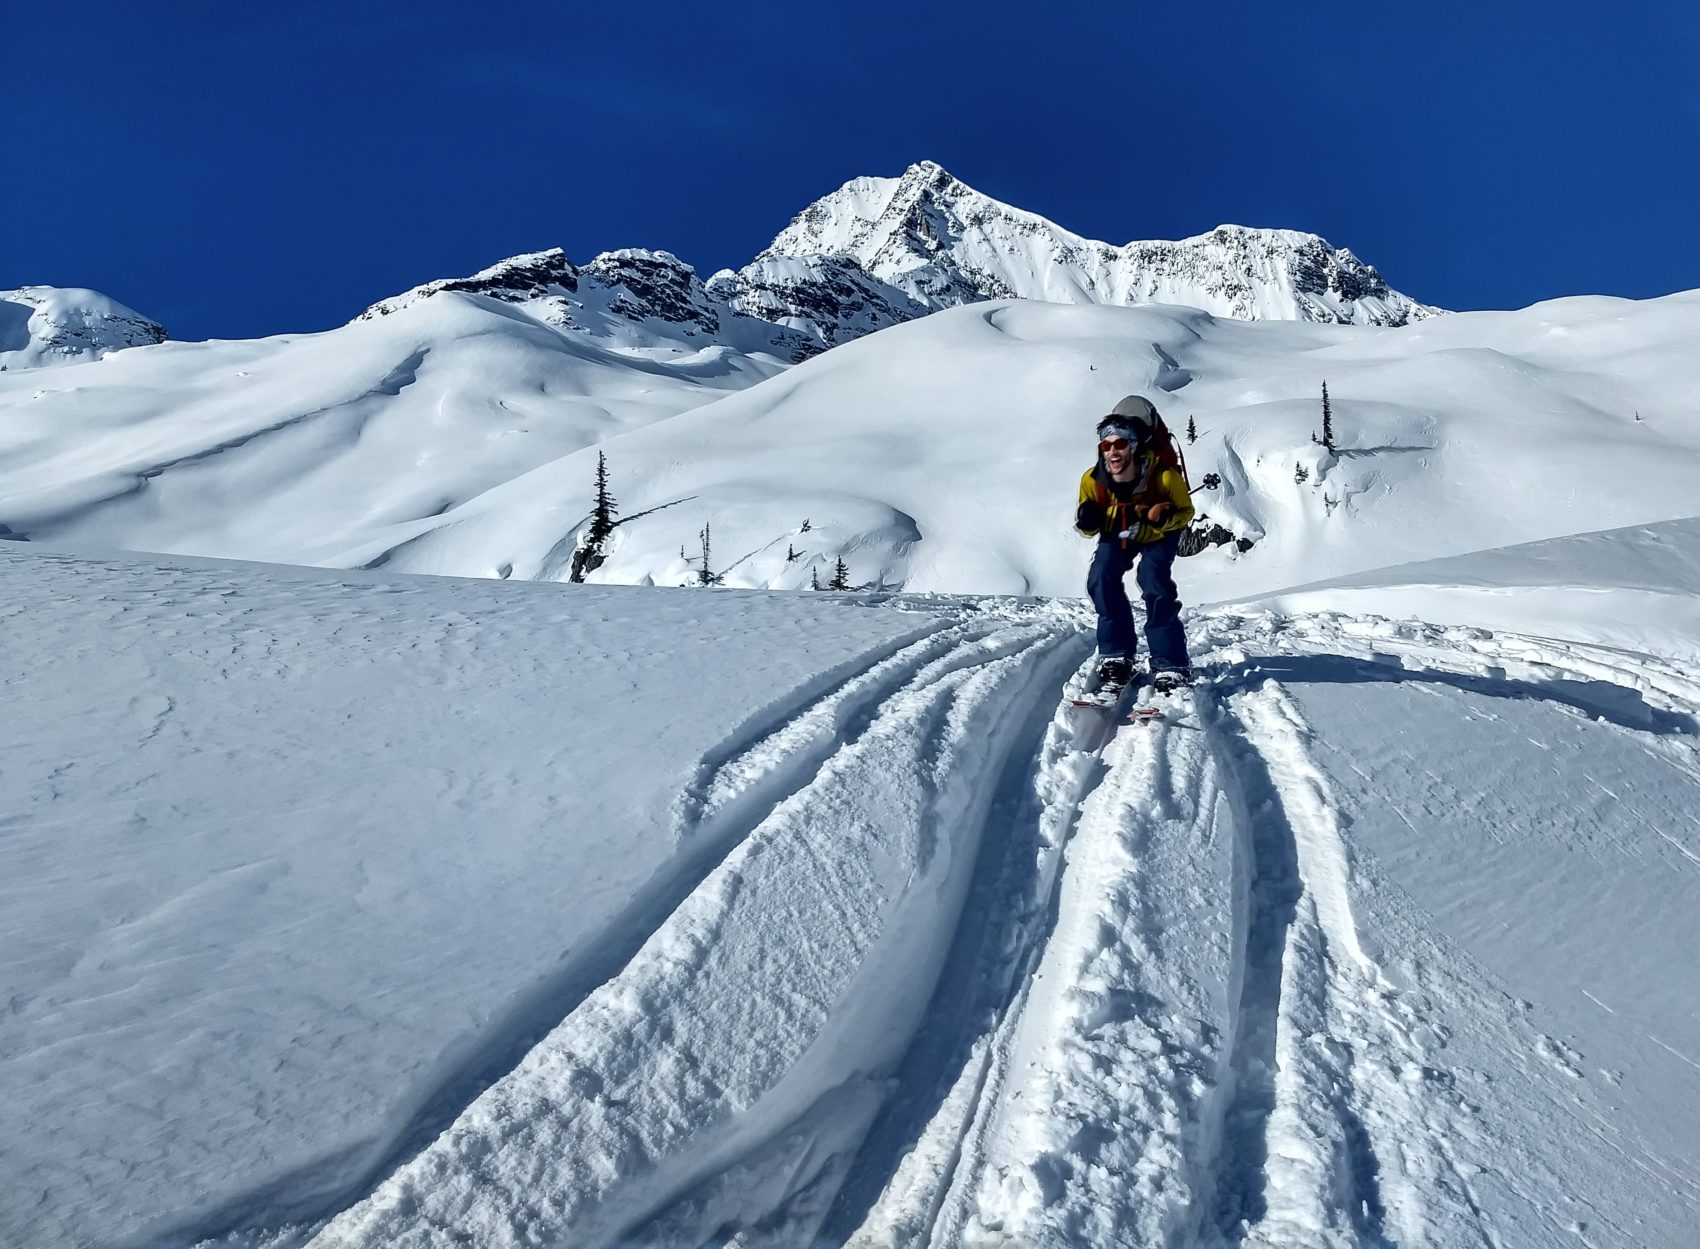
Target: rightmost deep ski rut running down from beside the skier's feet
[(1322, 1141)]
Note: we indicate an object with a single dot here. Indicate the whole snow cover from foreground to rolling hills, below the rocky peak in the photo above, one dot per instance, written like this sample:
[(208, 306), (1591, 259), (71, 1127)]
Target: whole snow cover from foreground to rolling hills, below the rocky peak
[(353, 908)]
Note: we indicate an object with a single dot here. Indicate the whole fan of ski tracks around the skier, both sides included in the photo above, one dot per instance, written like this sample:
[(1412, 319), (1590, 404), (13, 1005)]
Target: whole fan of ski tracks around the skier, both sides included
[(955, 966)]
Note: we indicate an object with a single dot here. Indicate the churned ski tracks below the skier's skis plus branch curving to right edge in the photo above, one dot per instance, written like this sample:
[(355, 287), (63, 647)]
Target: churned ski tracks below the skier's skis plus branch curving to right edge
[(1162, 1078)]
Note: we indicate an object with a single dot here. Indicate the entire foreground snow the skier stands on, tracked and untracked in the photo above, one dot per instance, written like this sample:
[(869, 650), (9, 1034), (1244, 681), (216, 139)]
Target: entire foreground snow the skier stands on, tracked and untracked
[(356, 910)]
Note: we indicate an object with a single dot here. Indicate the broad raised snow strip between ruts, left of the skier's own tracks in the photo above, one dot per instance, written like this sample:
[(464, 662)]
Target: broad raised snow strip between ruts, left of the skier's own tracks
[(769, 1007)]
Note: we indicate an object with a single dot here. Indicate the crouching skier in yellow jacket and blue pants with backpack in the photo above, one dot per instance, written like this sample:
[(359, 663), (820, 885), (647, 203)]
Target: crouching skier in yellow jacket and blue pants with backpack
[(1136, 502)]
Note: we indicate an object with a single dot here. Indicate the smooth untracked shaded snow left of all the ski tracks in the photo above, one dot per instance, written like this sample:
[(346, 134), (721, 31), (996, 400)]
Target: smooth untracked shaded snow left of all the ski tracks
[(297, 861)]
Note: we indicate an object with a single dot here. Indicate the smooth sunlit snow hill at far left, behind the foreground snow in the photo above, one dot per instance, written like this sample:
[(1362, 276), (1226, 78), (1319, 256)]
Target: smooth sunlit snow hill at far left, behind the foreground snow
[(327, 448)]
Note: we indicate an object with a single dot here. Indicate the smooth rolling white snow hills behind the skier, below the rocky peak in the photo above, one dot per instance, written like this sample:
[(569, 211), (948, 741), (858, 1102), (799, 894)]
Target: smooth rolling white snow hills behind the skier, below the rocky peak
[(460, 436)]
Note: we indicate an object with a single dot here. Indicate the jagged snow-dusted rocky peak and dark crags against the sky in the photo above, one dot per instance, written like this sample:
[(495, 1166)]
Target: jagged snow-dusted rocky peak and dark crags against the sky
[(887, 251)]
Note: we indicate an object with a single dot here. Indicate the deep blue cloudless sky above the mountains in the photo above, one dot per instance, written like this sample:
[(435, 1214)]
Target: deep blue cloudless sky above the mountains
[(235, 171)]
